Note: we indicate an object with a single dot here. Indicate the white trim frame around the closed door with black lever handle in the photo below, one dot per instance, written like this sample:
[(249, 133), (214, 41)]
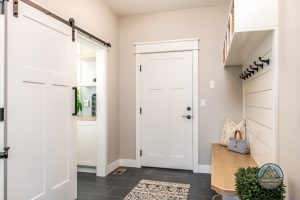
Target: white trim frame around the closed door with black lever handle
[(191, 45)]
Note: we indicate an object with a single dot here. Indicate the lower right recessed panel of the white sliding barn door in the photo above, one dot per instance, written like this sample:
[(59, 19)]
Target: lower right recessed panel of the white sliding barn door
[(58, 154)]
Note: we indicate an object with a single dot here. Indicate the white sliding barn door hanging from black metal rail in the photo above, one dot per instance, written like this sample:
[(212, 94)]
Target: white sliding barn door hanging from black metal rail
[(40, 128)]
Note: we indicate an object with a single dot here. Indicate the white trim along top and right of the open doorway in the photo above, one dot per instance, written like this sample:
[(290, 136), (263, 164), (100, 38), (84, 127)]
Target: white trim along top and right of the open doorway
[(102, 165)]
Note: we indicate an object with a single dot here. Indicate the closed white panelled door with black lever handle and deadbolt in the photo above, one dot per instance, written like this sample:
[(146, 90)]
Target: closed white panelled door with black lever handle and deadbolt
[(166, 99)]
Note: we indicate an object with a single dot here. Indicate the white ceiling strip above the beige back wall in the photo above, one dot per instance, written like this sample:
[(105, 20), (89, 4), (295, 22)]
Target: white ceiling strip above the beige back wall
[(130, 7)]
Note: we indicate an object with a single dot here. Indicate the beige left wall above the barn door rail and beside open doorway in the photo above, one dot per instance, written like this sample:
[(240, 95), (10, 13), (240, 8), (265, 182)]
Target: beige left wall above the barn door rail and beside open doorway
[(96, 18)]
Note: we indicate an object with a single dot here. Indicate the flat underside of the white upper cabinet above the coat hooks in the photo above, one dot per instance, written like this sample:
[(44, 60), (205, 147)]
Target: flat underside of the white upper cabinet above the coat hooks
[(243, 41)]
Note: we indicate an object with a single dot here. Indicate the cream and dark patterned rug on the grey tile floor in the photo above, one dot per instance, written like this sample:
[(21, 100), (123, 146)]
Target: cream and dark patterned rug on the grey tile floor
[(157, 190)]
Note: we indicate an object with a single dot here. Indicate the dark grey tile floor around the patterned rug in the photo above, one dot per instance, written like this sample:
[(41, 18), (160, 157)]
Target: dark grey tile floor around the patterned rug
[(116, 187)]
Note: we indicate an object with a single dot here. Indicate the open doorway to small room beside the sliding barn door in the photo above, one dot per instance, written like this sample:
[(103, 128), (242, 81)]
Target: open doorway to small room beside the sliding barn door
[(91, 106)]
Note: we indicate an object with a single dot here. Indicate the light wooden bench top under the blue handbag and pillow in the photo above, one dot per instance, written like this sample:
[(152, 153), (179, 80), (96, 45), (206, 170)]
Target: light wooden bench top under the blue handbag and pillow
[(224, 165)]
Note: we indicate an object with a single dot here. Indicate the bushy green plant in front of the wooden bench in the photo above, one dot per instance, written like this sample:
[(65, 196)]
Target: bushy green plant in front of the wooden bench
[(248, 187)]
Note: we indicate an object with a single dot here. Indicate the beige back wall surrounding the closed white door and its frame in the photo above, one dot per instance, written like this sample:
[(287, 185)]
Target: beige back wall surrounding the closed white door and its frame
[(206, 23)]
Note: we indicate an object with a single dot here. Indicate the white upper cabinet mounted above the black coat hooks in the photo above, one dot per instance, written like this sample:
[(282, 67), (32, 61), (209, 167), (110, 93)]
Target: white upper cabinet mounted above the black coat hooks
[(249, 22)]
